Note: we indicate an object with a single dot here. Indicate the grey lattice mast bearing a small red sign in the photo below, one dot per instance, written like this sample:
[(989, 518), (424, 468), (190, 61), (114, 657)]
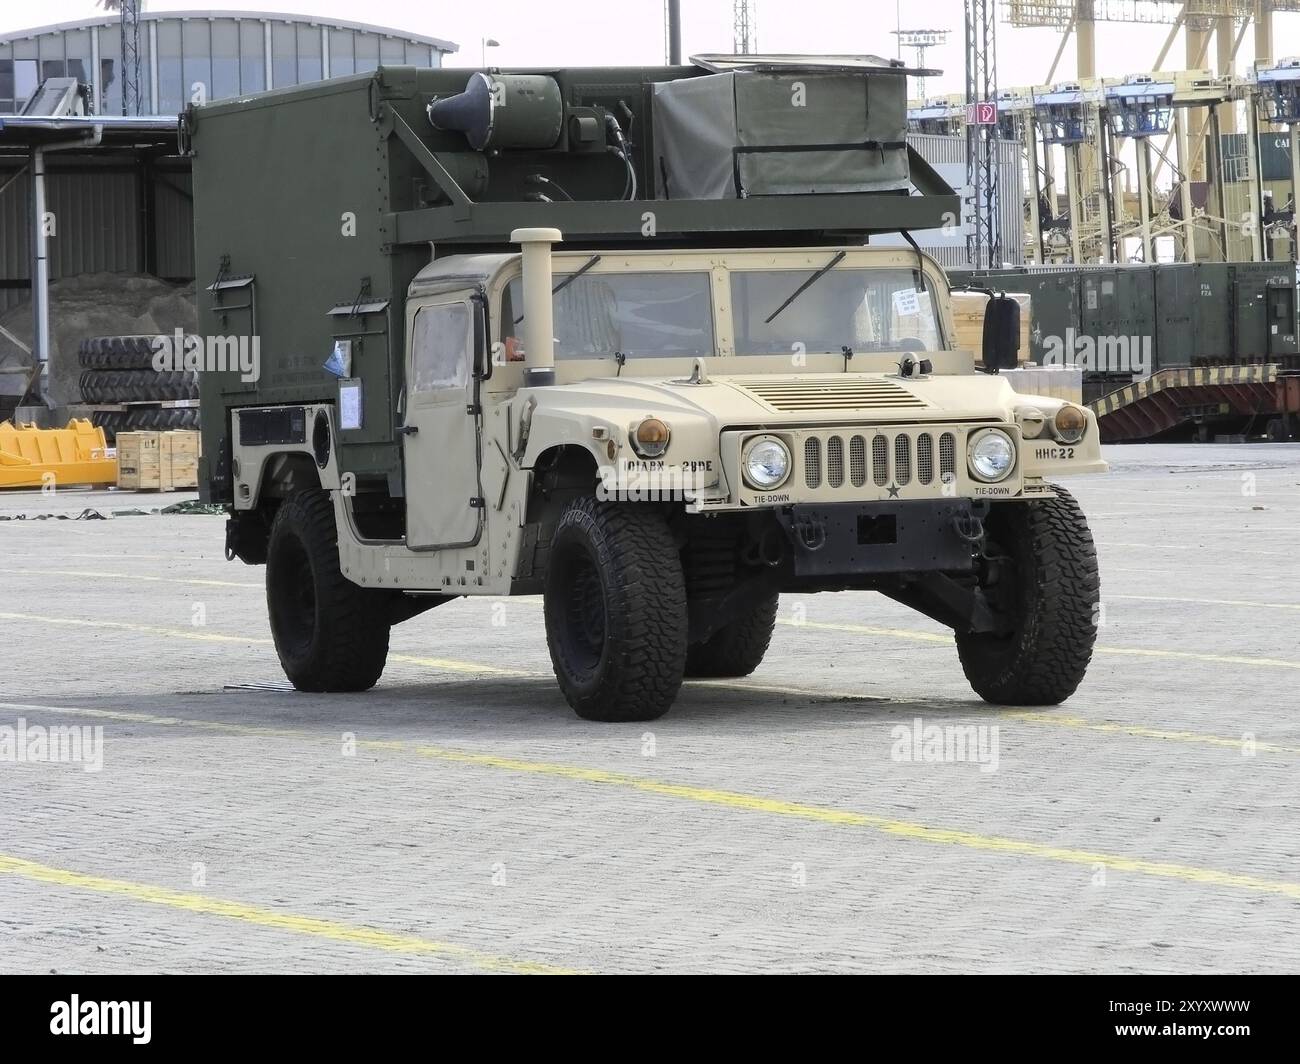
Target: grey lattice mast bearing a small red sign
[(983, 241)]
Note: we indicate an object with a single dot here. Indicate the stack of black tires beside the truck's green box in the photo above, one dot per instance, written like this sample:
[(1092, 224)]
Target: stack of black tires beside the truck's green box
[(120, 370)]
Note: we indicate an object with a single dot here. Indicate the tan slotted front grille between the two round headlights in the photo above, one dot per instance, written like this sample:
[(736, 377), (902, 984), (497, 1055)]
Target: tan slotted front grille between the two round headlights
[(894, 459)]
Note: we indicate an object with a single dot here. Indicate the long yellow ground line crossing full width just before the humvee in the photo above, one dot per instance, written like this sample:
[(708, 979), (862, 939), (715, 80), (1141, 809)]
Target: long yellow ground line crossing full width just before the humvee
[(803, 812)]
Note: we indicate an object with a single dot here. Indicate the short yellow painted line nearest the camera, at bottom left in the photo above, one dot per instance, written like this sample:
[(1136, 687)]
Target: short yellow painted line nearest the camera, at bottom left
[(349, 935)]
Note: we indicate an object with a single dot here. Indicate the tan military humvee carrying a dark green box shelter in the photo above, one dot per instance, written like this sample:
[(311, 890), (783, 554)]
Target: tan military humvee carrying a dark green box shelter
[(618, 338)]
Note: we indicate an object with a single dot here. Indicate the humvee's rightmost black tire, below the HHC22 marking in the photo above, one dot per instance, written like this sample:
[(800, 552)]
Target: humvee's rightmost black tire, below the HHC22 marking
[(1055, 592)]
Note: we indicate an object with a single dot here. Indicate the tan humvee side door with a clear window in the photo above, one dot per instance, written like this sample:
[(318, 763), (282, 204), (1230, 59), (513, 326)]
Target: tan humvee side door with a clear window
[(441, 435)]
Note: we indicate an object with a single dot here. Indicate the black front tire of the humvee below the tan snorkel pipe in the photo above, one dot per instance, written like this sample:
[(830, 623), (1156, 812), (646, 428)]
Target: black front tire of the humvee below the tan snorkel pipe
[(617, 611)]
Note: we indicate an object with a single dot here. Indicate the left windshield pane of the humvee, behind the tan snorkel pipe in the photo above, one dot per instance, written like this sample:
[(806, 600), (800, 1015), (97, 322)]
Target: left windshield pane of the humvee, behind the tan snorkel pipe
[(639, 315)]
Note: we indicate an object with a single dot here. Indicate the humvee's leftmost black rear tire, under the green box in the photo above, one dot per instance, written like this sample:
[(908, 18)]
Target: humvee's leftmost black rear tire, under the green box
[(331, 634)]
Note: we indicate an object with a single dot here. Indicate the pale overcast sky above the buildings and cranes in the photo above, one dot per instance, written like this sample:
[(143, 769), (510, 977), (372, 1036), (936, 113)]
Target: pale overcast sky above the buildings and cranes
[(631, 32)]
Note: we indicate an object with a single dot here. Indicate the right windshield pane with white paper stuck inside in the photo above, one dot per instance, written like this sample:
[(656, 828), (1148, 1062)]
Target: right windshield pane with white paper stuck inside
[(868, 310)]
